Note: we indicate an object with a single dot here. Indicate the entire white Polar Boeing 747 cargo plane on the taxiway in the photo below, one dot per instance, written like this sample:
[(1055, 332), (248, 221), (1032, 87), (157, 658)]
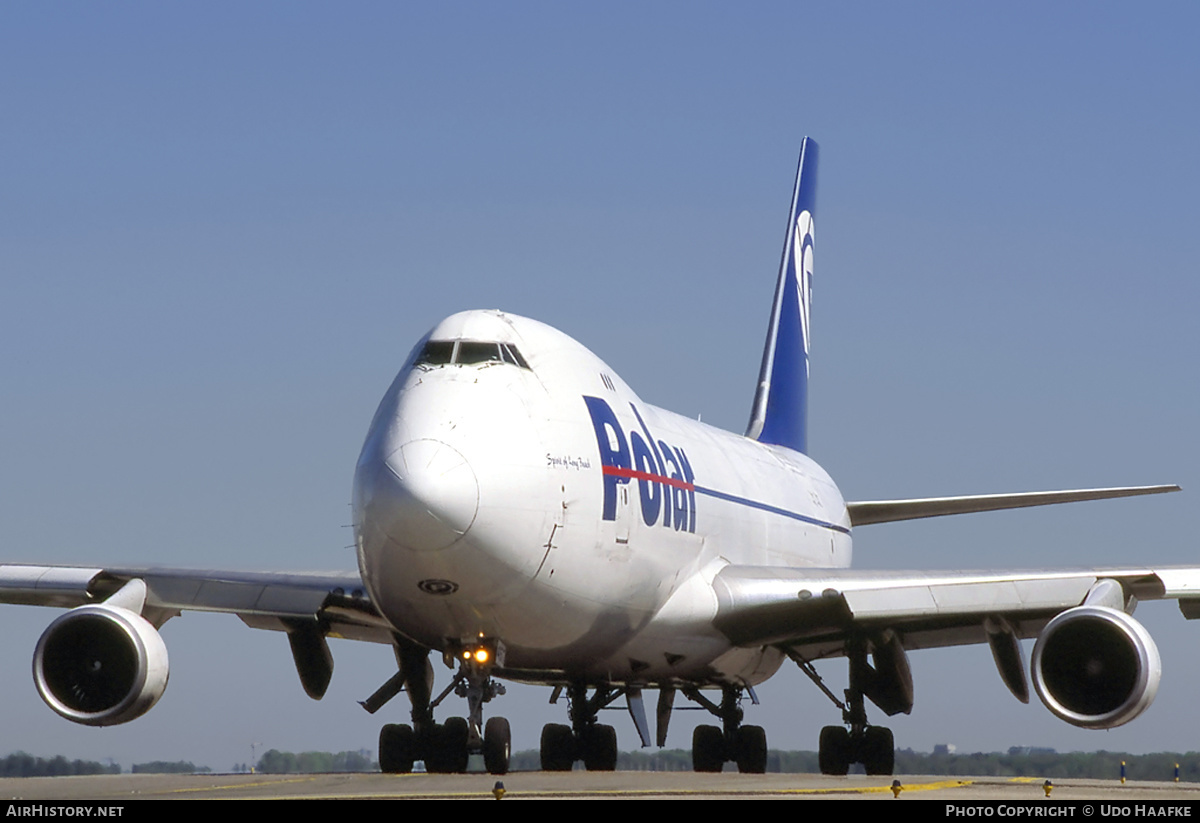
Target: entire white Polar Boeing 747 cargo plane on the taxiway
[(524, 515)]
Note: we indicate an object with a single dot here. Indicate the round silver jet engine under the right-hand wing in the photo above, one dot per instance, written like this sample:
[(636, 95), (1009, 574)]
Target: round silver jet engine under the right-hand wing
[(1096, 668)]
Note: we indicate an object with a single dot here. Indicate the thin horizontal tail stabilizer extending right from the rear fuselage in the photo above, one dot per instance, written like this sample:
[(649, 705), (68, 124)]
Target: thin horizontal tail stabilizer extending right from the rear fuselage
[(887, 512)]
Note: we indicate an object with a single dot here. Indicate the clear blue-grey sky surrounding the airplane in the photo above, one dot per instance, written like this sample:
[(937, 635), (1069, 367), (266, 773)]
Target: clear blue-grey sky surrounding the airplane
[(223, 227)]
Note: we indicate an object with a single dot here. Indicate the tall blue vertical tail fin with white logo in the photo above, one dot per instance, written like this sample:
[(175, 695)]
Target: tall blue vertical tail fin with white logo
[(781, 404)]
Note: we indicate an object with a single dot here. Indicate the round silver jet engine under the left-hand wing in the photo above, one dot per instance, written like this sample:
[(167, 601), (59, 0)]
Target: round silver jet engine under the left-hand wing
[(101, 665)]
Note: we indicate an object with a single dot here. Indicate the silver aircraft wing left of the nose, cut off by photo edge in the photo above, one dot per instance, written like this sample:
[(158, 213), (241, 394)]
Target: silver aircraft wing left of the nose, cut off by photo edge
[(337, 602)]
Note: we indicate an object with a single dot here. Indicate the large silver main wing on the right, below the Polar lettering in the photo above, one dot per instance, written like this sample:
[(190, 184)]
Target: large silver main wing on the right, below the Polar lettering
[(814, 612)]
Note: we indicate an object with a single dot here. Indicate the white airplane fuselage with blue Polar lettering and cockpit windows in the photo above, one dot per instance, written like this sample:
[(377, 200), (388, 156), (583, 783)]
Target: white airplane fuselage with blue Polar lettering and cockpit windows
[(526, 494)]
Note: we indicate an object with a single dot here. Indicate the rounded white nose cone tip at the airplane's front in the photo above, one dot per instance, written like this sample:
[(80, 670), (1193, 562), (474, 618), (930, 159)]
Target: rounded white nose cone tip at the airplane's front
[(424, 496)]
